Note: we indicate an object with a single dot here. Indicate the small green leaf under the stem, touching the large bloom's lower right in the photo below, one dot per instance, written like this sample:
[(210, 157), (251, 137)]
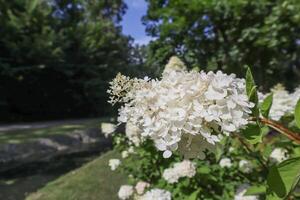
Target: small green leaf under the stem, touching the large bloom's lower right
[(252, 133)]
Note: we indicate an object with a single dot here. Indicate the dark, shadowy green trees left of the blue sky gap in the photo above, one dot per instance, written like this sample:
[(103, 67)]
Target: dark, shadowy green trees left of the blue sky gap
[(57, 57)]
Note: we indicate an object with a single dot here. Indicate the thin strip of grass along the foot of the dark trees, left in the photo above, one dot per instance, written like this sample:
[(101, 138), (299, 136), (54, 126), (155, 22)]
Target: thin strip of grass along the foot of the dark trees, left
[(20, 136)]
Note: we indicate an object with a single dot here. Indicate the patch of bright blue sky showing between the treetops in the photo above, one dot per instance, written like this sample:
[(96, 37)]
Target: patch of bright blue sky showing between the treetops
[(132, 24)]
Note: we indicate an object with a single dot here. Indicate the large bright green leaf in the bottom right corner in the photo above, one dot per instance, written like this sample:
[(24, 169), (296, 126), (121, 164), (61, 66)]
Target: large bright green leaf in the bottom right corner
[(283, 178)]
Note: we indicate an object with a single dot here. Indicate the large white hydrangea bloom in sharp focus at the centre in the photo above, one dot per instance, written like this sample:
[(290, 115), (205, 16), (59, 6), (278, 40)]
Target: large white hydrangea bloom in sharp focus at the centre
[(183, 107)]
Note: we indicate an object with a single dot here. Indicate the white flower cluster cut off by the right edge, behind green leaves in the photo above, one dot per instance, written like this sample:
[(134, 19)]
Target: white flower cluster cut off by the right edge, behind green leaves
[(283, 102)]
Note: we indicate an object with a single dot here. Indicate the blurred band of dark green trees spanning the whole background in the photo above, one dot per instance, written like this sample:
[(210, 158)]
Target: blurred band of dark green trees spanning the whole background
[(57, 56)]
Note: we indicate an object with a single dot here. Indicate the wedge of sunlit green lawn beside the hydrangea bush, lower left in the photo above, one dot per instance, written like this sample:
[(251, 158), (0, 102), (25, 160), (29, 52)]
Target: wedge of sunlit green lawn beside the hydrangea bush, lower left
[(93, 181)]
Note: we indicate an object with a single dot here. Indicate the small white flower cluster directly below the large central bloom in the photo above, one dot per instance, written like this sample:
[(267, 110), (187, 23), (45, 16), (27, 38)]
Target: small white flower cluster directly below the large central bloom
[(185, 168)]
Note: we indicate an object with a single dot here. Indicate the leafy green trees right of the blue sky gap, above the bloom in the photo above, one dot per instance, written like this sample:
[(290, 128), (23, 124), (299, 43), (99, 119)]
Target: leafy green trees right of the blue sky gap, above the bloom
[(228, 35)]
